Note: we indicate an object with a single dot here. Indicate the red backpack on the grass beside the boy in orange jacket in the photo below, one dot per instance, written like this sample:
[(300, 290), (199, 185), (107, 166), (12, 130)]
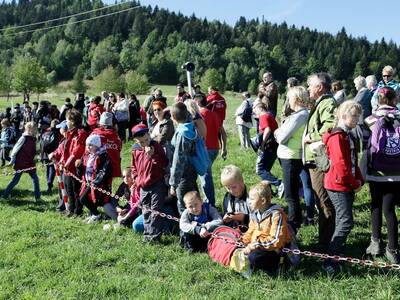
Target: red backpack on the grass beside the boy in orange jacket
[(222, 244)]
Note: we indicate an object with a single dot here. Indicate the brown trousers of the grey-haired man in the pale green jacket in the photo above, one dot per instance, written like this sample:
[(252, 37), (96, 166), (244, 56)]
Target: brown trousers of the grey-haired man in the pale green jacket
[(326, 216)]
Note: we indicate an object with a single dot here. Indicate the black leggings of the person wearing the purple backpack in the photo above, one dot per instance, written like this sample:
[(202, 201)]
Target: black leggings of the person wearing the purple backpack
[(385, 196)]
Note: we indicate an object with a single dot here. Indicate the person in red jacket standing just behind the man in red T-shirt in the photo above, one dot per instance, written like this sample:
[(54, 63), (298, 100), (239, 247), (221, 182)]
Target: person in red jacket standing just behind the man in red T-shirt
[(217, 104)]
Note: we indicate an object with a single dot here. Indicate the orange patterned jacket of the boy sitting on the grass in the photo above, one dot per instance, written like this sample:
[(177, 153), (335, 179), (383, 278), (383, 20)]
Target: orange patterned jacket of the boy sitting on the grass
[(271, 232)]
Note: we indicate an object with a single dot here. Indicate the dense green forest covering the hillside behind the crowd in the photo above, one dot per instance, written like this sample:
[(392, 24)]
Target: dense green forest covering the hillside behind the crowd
[(155, 42)]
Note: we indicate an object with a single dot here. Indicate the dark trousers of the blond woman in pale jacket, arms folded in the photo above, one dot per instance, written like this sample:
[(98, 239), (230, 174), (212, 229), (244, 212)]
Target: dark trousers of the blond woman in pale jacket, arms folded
[(291, 173)]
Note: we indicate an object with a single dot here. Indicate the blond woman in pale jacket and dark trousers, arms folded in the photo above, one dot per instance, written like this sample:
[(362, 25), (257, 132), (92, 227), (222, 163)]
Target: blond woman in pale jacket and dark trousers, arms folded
[(289, 152)]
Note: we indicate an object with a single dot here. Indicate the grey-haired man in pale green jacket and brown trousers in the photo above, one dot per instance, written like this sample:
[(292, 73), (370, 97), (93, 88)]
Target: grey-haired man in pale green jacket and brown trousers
[(321, 118)]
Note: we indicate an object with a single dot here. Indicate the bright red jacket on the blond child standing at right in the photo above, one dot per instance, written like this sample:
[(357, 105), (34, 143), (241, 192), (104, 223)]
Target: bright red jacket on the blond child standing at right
[(339, 176)]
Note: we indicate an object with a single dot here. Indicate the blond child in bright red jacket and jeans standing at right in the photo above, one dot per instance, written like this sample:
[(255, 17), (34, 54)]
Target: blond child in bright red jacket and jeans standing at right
[(344, 177)]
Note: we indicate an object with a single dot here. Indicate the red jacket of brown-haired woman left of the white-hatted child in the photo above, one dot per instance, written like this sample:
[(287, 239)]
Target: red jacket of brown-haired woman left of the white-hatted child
[(71, 149)]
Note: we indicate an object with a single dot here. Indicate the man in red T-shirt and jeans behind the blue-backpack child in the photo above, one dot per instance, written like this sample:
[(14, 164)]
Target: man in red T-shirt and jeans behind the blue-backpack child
[(212, 123)]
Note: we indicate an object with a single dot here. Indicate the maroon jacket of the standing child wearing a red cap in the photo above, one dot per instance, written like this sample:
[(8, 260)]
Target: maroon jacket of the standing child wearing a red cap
[(147, 170)]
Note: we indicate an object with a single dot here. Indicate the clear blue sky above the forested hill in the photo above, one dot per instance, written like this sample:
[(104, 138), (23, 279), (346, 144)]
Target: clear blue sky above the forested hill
[(360, 18)]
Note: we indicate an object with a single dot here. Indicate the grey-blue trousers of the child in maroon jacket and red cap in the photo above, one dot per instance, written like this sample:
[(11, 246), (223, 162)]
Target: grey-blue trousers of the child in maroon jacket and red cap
[(153, 198)]
